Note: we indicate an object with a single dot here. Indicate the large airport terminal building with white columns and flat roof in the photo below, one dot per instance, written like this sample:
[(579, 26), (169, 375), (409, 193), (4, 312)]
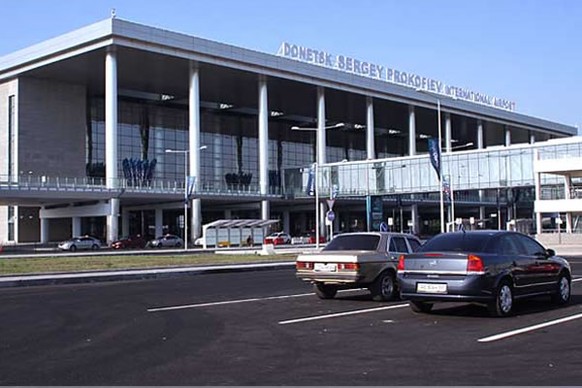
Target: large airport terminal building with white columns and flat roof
[(111, 129)]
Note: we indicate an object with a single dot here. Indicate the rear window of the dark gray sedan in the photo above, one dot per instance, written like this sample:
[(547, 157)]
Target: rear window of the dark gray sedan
[(457, 242)]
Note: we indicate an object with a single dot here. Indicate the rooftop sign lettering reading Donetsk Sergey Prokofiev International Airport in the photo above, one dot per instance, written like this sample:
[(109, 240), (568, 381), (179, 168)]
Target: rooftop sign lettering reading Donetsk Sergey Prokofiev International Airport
[(387, 74)]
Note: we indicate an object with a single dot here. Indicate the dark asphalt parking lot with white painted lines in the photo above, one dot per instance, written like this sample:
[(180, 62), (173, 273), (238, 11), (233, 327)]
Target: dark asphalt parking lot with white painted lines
[(268, 328)]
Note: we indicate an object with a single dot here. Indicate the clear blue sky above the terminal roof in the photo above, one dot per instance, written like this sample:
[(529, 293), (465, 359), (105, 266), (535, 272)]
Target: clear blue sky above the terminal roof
[(526, 51)]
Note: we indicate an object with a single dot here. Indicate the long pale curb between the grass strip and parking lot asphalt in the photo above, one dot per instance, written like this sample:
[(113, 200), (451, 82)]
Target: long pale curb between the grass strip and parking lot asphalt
[(138, 274)]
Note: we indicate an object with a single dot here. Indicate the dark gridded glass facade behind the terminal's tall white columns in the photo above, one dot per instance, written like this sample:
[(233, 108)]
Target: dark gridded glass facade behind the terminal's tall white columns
[(230, 143)]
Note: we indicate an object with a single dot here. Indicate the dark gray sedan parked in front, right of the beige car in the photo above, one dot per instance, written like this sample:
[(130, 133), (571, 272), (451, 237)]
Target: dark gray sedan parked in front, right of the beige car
[(489, 267)]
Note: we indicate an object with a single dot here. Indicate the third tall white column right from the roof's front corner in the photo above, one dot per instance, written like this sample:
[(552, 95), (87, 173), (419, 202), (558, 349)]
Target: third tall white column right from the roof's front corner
[(264, 145)]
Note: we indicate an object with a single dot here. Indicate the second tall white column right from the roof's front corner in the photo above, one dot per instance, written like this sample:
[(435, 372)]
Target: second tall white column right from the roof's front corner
[(194, 147)]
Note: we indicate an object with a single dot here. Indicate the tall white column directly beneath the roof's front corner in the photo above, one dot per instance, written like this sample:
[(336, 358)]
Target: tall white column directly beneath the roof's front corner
[(111, 139)]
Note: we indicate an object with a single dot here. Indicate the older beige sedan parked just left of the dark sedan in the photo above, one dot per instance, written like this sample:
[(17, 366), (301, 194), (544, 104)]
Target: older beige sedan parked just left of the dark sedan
[(354, 260)]
